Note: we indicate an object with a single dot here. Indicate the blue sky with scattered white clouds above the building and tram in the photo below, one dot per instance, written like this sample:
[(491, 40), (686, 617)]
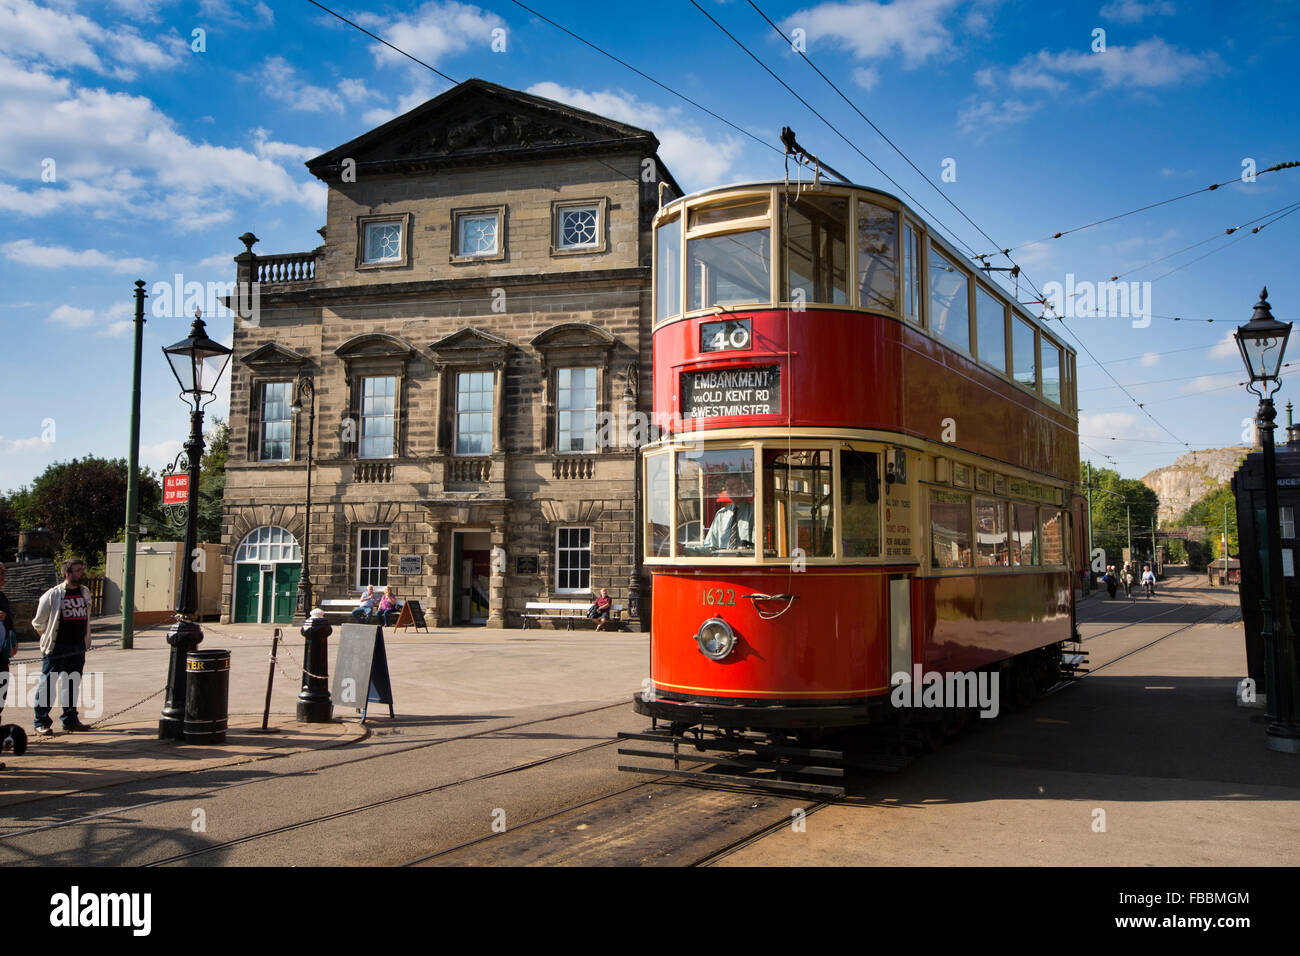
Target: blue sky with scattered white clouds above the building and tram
[(162, 155)]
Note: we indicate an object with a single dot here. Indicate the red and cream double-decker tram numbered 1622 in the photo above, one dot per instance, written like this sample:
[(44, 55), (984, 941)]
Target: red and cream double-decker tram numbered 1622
[(868, 466)]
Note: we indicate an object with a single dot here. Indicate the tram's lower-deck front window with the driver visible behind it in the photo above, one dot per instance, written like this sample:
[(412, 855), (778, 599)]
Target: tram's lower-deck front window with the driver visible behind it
[(716, 504)]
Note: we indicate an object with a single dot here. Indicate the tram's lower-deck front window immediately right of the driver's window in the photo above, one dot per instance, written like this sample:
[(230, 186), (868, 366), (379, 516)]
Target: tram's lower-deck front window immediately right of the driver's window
[(799, 508)]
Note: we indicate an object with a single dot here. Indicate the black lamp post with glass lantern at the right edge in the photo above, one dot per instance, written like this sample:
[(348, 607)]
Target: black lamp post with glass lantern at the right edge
[(1263, 341)]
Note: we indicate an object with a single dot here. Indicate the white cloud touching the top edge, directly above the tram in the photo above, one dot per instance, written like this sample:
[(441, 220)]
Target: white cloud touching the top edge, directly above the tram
[(873, 31)]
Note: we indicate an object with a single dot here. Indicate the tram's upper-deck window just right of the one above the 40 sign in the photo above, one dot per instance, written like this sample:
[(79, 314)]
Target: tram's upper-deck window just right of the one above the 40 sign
[(817, 232)]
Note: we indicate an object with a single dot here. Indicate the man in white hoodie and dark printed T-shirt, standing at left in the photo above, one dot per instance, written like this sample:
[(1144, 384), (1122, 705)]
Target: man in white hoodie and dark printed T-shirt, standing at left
[(63, 622)]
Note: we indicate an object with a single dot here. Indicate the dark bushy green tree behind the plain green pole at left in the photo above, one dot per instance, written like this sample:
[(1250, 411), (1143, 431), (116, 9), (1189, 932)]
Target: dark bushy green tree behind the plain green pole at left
[(84, 504)]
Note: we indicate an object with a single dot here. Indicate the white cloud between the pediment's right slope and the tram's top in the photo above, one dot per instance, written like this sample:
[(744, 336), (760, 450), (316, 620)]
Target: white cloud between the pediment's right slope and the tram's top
[(686, 148)]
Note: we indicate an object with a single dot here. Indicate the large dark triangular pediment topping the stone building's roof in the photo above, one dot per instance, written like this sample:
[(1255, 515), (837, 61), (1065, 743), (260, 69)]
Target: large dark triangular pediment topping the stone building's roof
[(479, 122)]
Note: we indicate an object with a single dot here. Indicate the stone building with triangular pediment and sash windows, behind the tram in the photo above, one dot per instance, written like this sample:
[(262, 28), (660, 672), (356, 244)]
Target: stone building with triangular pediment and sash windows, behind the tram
[(480, 304)]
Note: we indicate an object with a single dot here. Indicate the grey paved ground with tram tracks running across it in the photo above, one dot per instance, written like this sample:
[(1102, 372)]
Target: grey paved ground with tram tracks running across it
[(513, 729)]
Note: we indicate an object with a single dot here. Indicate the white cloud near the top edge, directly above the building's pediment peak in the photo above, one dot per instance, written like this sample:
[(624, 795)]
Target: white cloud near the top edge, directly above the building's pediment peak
[(431, 33)]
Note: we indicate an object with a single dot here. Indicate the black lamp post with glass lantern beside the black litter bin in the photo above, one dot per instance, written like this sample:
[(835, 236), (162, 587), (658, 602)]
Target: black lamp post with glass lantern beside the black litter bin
[(197, 362)]
